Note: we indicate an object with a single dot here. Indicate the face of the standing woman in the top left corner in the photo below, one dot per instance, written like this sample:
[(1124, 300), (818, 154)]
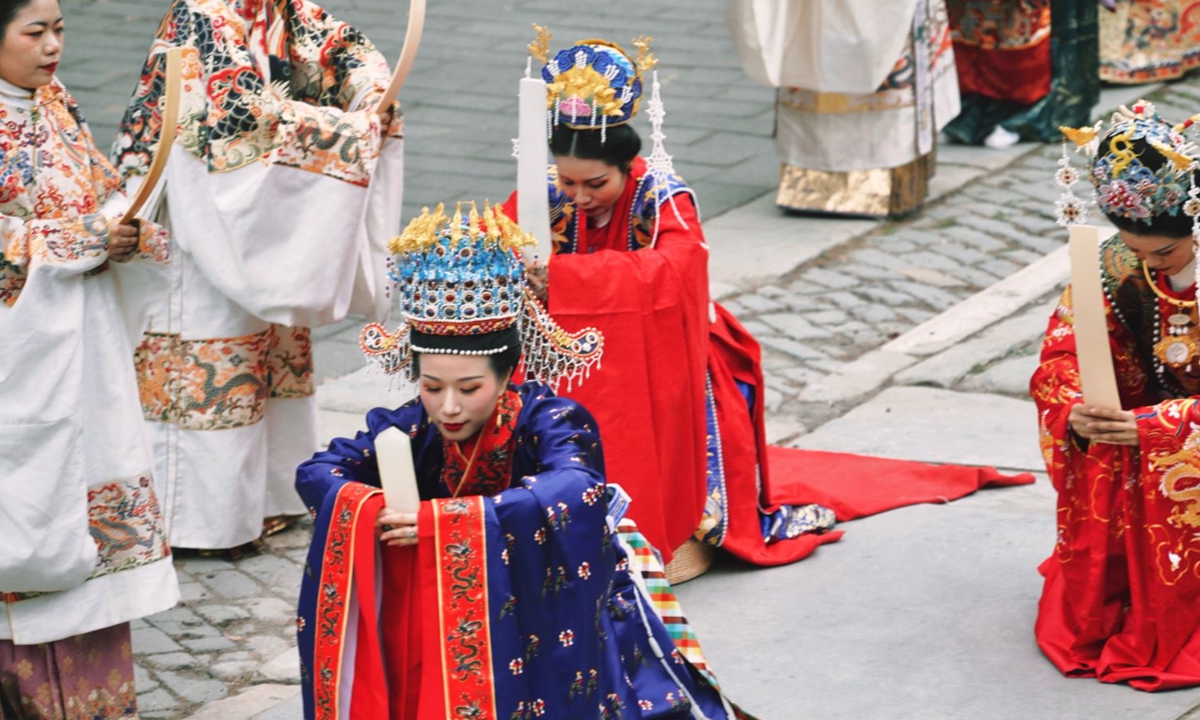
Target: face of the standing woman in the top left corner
[(33, 45)]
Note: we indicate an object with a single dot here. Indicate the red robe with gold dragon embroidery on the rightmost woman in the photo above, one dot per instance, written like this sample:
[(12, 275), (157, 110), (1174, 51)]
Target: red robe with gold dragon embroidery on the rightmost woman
[(1121, 601)]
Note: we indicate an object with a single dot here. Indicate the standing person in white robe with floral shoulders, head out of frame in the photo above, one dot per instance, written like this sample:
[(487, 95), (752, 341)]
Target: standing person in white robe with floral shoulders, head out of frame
[(280, 197)]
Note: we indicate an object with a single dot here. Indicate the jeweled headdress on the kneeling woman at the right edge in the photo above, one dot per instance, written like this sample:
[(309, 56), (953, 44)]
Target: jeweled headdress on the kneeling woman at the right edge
[(1127, 185)]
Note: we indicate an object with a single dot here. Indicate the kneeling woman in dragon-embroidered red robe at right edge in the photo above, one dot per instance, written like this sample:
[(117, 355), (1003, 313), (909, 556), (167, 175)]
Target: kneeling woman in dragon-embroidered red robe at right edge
[(1121, 587)]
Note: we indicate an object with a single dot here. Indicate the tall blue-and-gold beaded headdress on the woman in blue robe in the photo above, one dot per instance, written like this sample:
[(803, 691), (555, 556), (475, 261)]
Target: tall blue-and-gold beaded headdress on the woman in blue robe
[(463, 292)]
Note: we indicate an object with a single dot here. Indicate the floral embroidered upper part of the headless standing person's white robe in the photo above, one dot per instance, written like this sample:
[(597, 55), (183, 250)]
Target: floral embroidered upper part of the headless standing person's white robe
[(236, 116)]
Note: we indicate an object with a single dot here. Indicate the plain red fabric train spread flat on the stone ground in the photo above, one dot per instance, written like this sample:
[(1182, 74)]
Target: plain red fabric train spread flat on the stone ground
[(856, 487)]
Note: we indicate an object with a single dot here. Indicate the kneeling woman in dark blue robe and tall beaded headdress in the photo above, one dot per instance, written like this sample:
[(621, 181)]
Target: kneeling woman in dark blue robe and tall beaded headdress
[(514, 595)]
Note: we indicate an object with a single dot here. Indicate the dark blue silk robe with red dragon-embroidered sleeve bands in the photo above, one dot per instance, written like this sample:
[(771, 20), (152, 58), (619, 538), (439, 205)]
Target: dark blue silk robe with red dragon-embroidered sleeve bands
[(527, 607)]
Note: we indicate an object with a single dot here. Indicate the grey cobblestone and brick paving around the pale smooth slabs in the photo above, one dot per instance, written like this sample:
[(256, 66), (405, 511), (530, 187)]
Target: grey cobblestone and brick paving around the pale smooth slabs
[(236, 626)]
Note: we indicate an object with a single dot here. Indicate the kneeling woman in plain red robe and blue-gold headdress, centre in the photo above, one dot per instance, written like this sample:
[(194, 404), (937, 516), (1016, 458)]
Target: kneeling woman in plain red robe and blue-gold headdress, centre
[(681, 395)]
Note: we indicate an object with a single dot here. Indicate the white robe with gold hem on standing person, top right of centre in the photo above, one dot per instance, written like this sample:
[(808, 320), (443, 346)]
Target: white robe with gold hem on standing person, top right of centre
[(863, 91)]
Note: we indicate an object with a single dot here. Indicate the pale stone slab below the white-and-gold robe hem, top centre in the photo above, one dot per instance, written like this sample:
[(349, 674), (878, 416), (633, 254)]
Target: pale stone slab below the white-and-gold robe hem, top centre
[(759, 242)]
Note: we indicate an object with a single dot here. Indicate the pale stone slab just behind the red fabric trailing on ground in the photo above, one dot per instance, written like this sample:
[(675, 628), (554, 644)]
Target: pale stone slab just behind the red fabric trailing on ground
[(940, 427)]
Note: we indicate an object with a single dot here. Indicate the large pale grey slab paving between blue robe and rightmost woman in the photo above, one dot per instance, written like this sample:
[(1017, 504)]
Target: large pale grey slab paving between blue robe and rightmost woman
[(920, 614)]
